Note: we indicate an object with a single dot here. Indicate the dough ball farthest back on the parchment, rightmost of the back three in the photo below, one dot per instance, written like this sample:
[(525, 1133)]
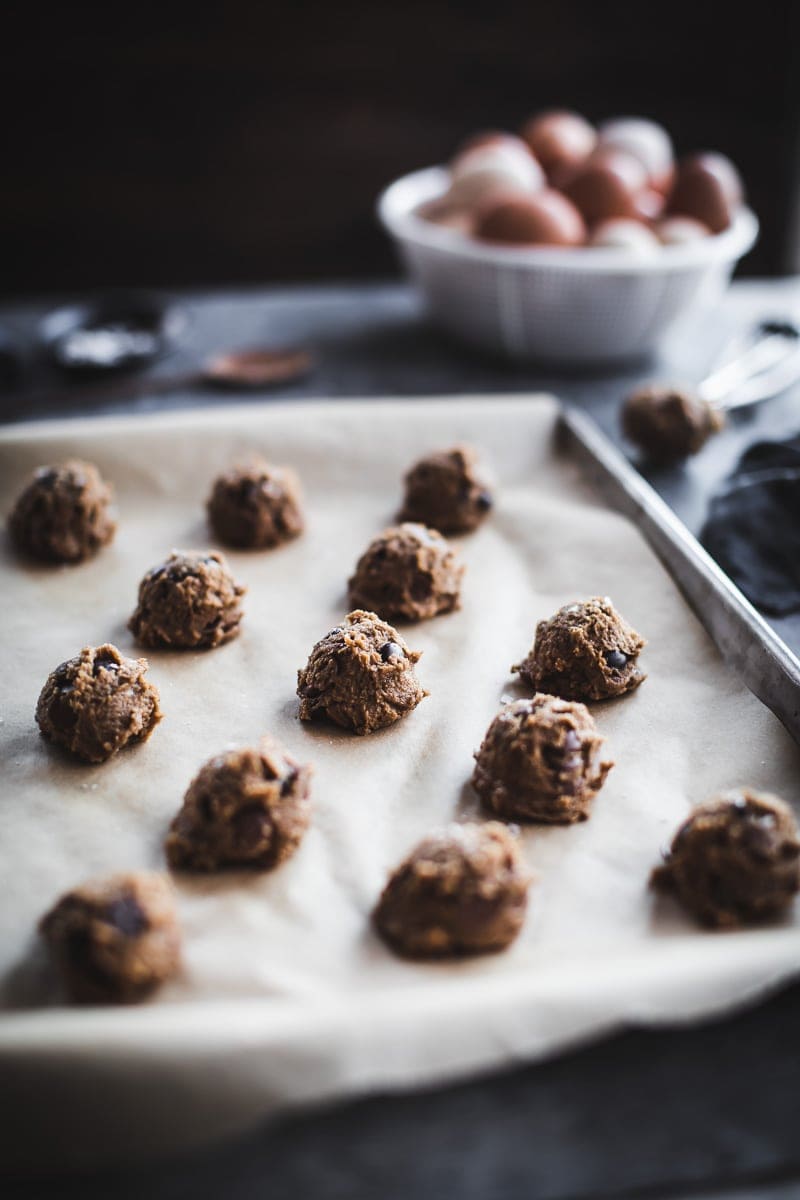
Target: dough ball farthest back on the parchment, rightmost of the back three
[(448, 493)]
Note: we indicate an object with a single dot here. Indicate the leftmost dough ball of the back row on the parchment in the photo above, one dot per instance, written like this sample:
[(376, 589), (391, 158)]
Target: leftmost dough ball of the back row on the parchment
[(64, 514)]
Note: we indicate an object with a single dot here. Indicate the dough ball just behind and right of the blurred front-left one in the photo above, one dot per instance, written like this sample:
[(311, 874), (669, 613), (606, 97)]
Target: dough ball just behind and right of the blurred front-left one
[(245, 808)]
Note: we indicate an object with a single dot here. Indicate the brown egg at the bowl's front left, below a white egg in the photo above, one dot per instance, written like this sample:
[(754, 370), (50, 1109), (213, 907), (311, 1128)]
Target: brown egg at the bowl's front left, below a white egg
[(546, 219)]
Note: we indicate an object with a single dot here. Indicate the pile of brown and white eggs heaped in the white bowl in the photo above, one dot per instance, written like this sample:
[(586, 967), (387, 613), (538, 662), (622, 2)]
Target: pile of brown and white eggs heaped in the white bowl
[(564, 183)]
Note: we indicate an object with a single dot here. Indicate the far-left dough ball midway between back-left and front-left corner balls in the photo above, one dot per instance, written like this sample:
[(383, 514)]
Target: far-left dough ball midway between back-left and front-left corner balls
[(98, 703)]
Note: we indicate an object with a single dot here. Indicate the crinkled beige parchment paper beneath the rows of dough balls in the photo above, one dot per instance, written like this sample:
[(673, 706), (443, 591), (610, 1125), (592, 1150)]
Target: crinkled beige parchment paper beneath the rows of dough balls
[(287, 995)]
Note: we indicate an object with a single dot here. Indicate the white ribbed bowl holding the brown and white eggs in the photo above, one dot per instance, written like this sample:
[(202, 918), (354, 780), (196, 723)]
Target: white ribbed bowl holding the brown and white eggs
[(584, 305)]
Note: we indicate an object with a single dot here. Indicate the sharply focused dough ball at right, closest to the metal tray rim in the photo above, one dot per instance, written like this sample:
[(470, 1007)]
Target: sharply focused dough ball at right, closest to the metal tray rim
[(585, 652)]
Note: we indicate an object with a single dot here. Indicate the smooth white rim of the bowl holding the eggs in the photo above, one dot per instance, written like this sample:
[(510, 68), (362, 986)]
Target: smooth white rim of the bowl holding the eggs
[(399, 202)]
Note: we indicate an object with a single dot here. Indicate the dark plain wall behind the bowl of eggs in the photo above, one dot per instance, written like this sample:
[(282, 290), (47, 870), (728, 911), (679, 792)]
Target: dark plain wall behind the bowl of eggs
[(176, 145)]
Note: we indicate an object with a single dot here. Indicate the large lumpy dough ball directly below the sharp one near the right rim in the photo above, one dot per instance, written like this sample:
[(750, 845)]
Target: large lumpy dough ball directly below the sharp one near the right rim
[(542, 761)]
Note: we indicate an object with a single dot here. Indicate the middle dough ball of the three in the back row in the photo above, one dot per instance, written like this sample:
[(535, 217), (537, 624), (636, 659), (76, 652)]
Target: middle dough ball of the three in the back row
[(256, 507)]
